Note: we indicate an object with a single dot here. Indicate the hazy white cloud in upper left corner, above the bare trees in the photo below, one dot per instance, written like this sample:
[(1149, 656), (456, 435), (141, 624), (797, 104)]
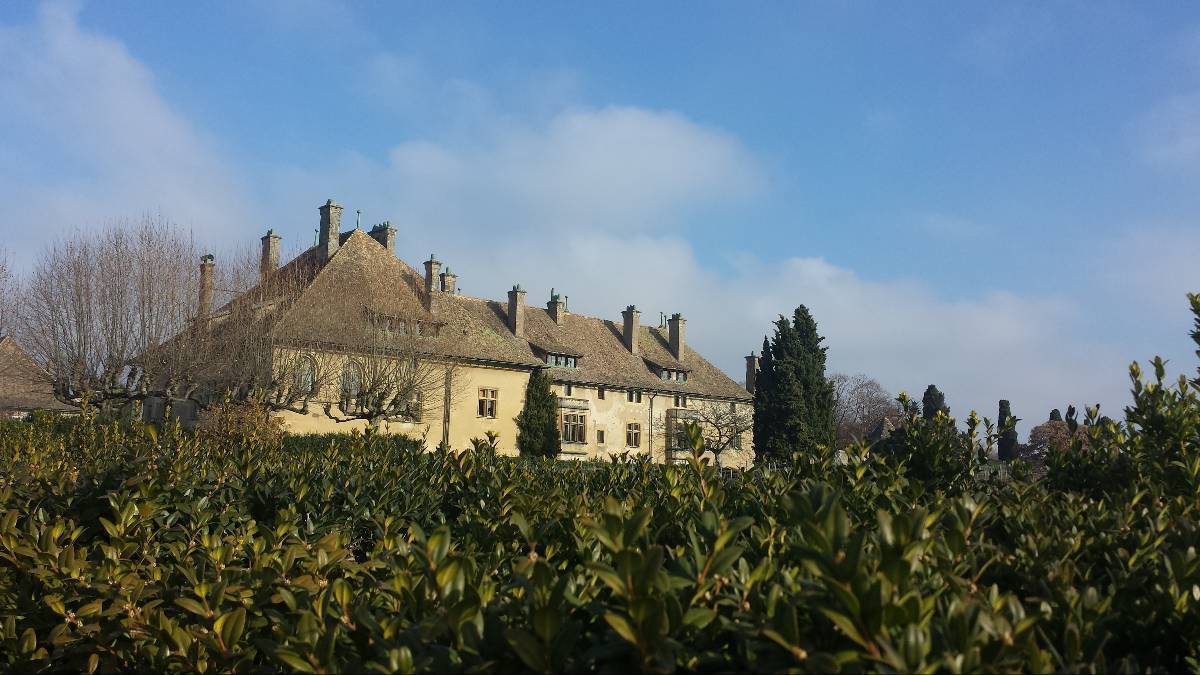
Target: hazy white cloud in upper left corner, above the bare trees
[(92, 139)]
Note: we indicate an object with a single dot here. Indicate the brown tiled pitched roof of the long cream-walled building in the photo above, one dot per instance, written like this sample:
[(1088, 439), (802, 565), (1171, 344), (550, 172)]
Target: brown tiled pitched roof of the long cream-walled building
[(363, 277)]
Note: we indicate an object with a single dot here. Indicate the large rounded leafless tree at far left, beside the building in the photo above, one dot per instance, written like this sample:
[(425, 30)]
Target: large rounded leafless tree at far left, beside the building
[(95, 303)]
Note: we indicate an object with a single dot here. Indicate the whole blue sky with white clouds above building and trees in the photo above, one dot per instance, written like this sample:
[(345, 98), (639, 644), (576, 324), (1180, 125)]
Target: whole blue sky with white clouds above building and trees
[(1001, 199)]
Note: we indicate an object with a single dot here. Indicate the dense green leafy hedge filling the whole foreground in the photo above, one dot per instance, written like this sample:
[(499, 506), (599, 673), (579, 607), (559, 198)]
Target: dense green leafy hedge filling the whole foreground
[(133, 549)]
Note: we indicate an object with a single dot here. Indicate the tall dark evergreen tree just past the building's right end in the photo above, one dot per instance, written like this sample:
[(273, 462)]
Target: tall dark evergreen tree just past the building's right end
[(794, 401)]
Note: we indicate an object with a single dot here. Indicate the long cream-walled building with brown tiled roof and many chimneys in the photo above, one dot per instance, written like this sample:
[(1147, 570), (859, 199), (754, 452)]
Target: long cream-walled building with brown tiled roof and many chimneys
[(623, 387)]
